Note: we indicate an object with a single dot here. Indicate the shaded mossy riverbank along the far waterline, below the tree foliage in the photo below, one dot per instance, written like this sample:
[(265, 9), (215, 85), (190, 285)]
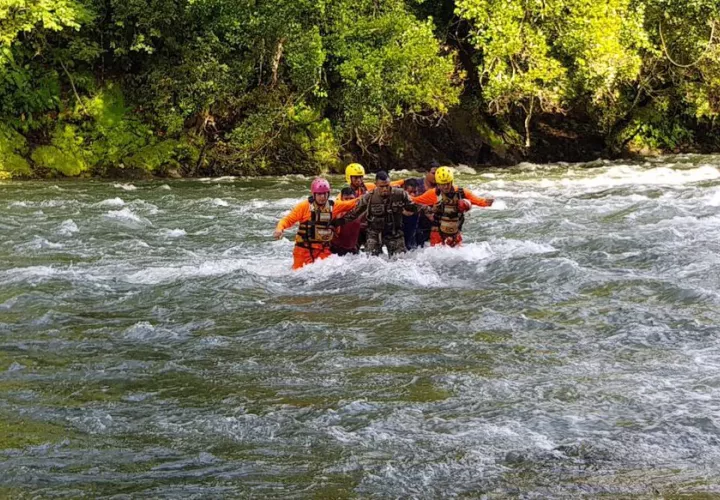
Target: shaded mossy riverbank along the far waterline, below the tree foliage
[(461, 139)]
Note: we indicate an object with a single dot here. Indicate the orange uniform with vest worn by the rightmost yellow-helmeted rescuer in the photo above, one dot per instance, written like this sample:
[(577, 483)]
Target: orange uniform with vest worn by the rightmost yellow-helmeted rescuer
[(448, 220)]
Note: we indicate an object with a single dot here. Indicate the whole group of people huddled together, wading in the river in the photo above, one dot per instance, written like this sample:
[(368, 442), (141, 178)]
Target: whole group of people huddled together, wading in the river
[(399, 215)]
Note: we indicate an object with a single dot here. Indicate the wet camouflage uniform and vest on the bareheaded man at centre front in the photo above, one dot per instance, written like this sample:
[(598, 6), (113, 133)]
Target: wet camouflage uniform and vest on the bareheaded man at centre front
[(384, 215)]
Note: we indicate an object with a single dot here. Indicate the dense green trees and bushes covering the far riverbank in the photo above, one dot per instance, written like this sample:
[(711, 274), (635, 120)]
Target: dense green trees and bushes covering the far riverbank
[(192, 87)]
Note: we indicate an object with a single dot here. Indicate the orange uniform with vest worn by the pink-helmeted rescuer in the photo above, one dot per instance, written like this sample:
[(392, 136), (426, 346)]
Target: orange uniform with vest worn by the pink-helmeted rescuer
[(312, 241)]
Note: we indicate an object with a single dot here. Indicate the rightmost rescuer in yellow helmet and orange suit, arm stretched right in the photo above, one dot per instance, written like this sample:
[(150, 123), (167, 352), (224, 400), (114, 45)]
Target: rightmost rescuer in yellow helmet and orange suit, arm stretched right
[(449, 205)]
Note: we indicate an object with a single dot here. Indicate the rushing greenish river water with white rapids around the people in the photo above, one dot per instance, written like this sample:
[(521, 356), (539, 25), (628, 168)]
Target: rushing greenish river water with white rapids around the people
[(154, 342)]
